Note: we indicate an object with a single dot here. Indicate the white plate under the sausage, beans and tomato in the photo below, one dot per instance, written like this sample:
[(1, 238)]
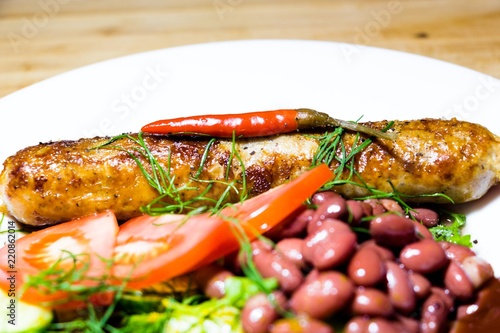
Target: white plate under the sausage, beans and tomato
[(348, 81)]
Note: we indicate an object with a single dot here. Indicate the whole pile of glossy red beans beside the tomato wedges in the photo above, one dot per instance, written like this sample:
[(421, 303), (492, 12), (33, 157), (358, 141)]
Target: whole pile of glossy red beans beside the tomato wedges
[(357, 266)]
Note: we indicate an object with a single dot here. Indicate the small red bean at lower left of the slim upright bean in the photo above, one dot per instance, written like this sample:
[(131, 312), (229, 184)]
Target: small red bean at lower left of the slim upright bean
[(371, 302)]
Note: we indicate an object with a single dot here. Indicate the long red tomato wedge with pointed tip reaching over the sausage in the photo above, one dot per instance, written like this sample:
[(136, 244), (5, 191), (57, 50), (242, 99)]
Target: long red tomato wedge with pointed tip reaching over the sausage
[(154, 249)]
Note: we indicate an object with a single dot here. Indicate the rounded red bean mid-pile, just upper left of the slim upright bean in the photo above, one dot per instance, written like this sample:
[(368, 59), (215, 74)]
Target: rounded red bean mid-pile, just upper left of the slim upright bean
[(366, 267)]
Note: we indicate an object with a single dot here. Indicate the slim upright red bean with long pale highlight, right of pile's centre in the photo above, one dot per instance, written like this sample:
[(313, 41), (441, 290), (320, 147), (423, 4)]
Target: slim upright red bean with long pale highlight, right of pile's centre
[(400, 289)]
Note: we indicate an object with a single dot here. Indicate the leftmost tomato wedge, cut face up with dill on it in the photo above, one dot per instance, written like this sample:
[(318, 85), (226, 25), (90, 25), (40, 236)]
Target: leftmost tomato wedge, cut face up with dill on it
[(90, 240)]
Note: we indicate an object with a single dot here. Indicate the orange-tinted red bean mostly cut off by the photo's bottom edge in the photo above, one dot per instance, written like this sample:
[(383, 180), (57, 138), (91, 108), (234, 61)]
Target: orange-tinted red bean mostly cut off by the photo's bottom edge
[(300, 324)]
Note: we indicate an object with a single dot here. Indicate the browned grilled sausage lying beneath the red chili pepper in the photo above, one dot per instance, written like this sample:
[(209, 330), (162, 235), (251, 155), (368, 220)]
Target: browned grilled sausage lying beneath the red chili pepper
[(57, 181)]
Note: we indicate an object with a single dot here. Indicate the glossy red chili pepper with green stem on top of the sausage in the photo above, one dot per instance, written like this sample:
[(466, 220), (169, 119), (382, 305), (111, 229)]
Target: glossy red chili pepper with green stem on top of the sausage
[(255, 124)]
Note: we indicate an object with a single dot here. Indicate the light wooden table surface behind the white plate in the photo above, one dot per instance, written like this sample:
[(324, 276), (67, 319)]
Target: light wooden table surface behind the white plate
[(42, 38)]
